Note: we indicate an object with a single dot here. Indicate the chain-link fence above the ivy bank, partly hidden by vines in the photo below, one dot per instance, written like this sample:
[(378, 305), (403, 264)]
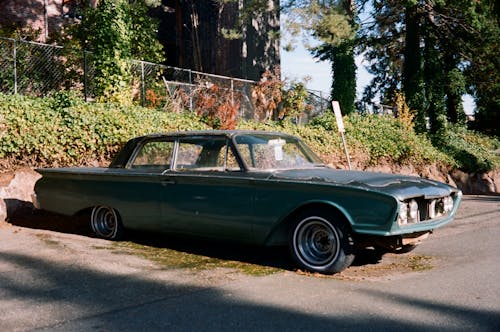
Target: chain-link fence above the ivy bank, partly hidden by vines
[(37, 69)]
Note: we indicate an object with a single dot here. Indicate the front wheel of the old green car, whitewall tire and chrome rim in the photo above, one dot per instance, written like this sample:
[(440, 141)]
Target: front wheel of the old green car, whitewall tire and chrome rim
[(321, 242)]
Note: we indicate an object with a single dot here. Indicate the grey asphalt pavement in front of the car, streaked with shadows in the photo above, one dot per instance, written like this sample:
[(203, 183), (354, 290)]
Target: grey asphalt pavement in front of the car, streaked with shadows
[(57, 281)]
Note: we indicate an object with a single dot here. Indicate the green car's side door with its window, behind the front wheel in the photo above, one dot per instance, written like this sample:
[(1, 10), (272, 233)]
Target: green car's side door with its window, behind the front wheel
[(206, 192)]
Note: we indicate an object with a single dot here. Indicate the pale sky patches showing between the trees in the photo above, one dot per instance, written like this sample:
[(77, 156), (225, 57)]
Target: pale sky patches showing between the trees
[(300, 63)]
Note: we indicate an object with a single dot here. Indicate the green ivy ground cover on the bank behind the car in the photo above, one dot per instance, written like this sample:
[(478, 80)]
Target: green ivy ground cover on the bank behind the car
[(63, 131)]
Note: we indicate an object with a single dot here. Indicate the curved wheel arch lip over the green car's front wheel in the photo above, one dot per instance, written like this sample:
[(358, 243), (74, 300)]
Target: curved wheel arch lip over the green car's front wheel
[(279, 234)]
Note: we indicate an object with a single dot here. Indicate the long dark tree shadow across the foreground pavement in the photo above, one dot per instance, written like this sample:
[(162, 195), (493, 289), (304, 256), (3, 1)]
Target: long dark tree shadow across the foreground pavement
[(86, 299)]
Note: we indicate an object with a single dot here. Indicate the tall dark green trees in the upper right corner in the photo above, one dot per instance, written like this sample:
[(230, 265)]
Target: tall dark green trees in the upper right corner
[(434, 51)]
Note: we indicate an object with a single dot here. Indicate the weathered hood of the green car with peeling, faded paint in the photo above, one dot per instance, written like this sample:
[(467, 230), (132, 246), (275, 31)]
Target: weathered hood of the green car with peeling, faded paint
[(400, 186)]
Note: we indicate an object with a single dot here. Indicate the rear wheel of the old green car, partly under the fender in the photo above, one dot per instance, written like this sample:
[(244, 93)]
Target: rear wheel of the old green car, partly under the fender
[(106, 223)]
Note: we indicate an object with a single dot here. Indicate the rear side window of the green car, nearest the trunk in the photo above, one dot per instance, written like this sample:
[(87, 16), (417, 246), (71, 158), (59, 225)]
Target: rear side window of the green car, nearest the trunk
[(154, 155)]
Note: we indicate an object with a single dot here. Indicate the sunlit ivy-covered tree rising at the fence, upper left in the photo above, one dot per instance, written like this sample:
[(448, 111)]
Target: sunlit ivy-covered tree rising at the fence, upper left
[(116, 32)]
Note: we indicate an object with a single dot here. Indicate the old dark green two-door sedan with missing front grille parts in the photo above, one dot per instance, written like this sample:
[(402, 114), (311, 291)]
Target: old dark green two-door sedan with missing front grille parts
[(254, 187)]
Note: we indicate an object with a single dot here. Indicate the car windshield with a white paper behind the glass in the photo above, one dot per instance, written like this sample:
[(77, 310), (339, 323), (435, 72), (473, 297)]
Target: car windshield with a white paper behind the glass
[(274, 152)]
